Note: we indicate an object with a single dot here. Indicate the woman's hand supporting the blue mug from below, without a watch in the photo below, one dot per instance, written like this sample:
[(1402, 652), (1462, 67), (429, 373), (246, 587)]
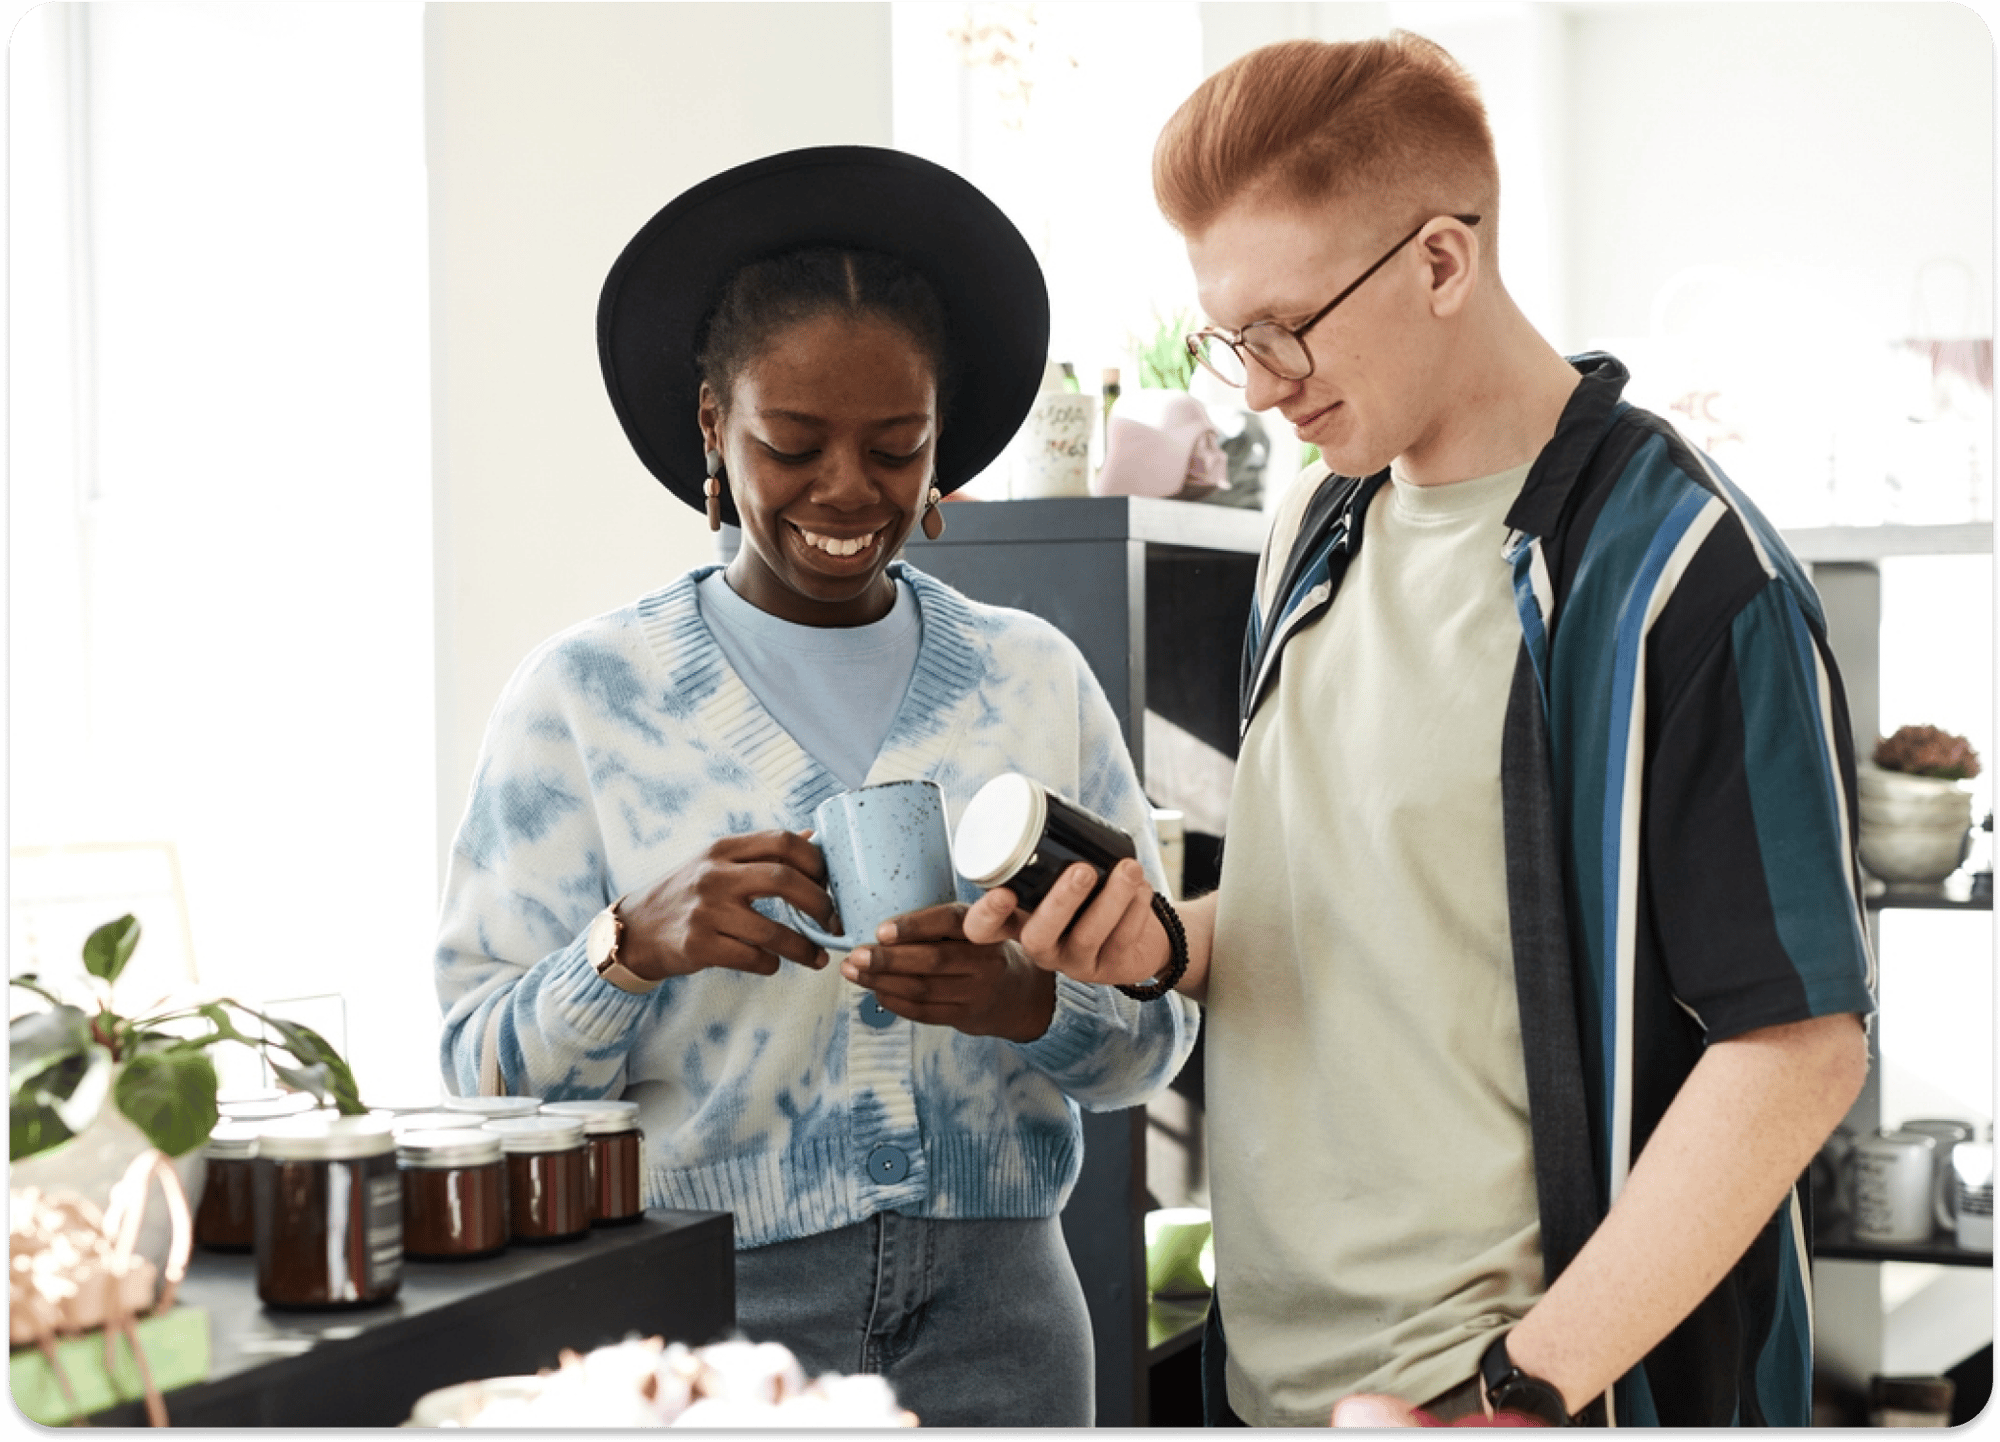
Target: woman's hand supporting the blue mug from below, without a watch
[(927, 971)]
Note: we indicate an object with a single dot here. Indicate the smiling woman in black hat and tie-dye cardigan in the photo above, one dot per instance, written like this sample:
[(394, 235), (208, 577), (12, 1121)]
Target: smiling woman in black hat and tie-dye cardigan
[(819, 347)]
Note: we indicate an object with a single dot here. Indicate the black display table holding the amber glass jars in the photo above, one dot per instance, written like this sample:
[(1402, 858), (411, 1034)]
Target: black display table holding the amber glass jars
[(669, 1275)]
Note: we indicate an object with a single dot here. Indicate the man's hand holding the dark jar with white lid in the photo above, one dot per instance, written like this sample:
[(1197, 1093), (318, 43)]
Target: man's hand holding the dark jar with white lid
[(1115, 941)]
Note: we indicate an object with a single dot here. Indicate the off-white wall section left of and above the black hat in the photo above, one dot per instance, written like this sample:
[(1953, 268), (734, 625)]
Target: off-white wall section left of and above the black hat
[(555, 133)]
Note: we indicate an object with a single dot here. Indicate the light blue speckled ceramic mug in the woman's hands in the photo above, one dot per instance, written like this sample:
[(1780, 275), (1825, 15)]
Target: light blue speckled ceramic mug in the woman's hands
[(887, 853)]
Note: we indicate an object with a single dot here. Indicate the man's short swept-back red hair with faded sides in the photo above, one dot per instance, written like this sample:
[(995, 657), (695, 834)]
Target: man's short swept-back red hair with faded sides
[(1393, 121)]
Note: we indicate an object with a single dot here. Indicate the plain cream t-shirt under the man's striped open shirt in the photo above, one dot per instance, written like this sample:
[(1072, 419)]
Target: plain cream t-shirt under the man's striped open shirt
[(1371, 1165)]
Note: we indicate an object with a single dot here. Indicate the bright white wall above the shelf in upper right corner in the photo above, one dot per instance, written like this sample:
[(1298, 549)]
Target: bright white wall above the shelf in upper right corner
[(1825, 149)]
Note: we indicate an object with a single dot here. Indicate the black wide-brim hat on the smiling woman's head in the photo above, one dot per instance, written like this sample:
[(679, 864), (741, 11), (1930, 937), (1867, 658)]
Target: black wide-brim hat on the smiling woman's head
[(671, 277)]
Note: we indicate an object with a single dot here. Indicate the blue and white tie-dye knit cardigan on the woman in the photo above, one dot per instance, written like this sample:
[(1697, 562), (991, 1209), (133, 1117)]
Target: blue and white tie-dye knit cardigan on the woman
[(619, 751)]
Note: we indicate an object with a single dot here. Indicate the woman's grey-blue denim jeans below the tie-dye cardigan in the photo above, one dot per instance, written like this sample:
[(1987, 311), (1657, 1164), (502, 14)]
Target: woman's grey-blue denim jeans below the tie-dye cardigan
[(975, 1323)]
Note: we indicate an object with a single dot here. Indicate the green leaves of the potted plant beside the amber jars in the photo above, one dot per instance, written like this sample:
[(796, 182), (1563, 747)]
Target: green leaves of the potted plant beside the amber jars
[(155, 1071)]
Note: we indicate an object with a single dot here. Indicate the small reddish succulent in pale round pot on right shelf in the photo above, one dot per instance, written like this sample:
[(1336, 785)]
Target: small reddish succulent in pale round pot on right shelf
[(1915, 815)]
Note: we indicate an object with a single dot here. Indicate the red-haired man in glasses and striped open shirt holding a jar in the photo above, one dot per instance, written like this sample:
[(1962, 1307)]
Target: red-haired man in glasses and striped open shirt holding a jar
[(1537, 961)]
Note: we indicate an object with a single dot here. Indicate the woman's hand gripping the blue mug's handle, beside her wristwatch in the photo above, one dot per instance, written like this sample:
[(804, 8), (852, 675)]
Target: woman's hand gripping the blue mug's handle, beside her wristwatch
[(701, 917)]
